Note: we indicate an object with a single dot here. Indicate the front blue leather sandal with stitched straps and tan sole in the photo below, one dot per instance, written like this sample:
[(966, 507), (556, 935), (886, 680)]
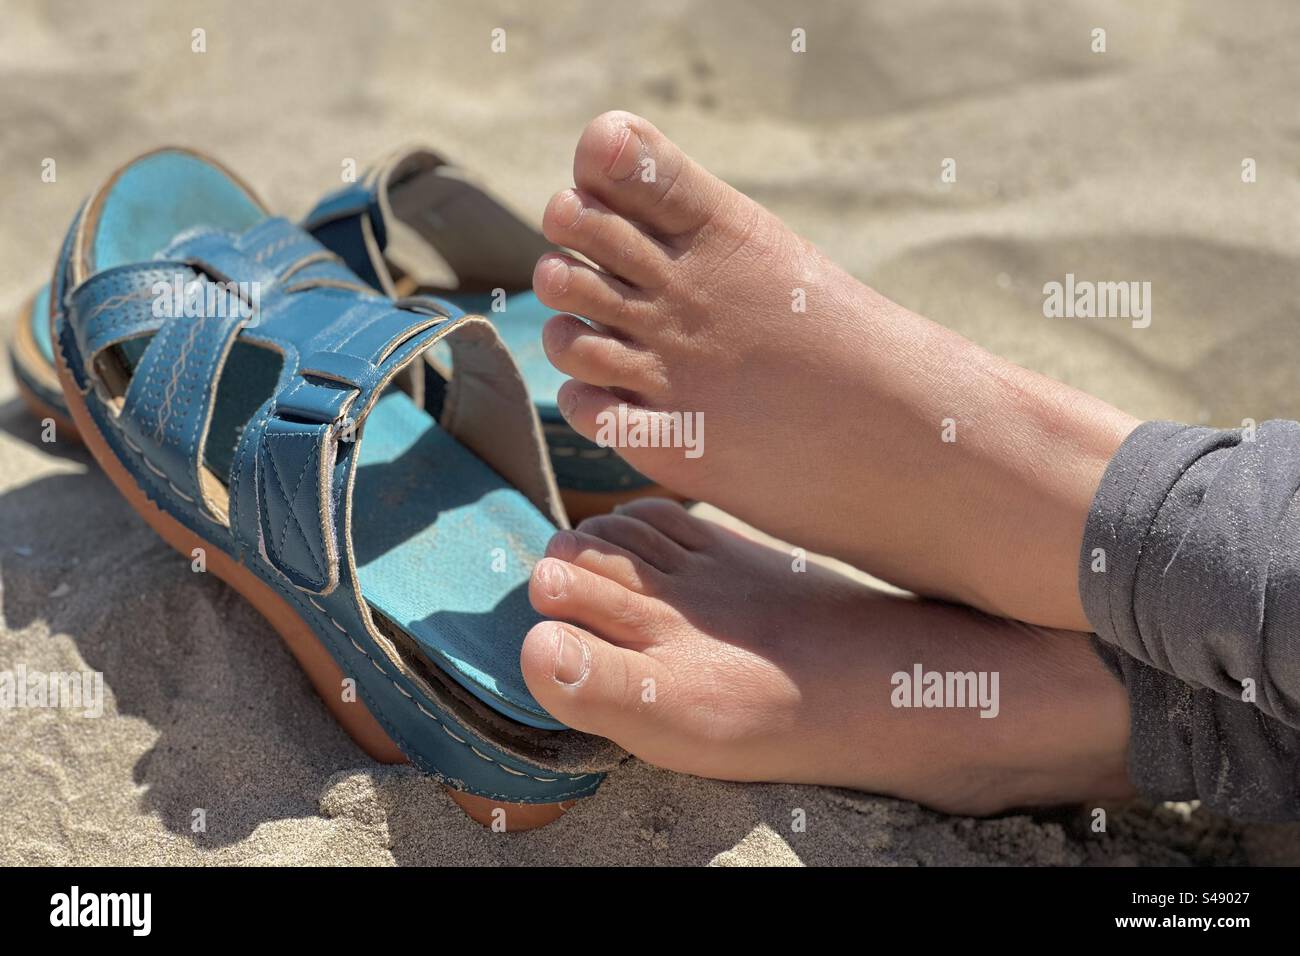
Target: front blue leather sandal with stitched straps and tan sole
[(250, 397)]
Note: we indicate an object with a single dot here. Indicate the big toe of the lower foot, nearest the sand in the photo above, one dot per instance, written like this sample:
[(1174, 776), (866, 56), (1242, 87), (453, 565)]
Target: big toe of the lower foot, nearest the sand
[(588, 684)]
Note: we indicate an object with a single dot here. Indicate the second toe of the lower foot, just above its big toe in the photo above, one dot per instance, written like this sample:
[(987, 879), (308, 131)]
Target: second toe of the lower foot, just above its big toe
[(626, 617)]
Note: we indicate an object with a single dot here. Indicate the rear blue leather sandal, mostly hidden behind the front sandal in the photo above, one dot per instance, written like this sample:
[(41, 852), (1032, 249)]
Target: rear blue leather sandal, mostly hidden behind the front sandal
[(417, 224)]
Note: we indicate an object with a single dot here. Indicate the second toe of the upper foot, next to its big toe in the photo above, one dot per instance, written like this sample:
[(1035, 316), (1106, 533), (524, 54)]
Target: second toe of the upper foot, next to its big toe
[(584, 224)]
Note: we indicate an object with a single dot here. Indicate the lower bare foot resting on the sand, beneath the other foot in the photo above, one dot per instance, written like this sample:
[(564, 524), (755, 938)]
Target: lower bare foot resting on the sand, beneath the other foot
[(705, 652)]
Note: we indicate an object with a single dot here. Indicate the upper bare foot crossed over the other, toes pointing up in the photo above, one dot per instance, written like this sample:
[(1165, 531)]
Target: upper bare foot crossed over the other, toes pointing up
[(833, 417)]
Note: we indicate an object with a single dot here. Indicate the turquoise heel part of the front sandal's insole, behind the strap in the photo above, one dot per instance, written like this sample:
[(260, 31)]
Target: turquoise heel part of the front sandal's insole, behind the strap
[(445, 548)]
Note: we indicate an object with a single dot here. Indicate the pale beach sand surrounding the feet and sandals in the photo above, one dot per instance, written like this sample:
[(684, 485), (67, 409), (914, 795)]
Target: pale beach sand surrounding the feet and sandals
[(1117, 166)]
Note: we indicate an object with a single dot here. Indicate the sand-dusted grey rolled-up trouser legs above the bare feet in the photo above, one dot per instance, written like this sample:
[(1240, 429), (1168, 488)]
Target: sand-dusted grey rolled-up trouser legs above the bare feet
[(1190, 576)]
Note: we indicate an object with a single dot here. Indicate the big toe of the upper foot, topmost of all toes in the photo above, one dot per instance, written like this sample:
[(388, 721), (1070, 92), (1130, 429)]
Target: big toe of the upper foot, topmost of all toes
[(640, 174)]
